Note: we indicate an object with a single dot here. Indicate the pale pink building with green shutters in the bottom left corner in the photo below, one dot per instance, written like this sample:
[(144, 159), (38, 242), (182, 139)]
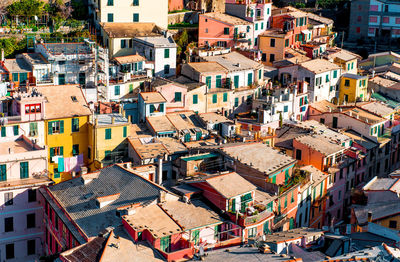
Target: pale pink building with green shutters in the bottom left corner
[(23, 169)]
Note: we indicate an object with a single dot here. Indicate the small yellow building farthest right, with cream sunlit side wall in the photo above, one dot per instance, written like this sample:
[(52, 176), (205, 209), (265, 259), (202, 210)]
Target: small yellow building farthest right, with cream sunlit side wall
[(353, 88)]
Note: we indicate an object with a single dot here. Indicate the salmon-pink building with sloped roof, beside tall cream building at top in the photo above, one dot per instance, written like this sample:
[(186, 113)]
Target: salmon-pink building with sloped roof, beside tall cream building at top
[(223, 30)]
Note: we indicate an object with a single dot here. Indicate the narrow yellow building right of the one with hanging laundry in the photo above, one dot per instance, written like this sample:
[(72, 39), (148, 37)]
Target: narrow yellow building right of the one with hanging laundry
[(107, 140)]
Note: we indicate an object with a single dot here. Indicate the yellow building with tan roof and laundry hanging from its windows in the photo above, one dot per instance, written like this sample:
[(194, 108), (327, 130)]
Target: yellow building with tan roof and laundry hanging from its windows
[(66, 130)]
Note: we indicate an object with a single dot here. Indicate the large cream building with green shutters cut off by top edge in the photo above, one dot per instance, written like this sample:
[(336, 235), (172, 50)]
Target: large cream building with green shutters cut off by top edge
[(127, 11)]
